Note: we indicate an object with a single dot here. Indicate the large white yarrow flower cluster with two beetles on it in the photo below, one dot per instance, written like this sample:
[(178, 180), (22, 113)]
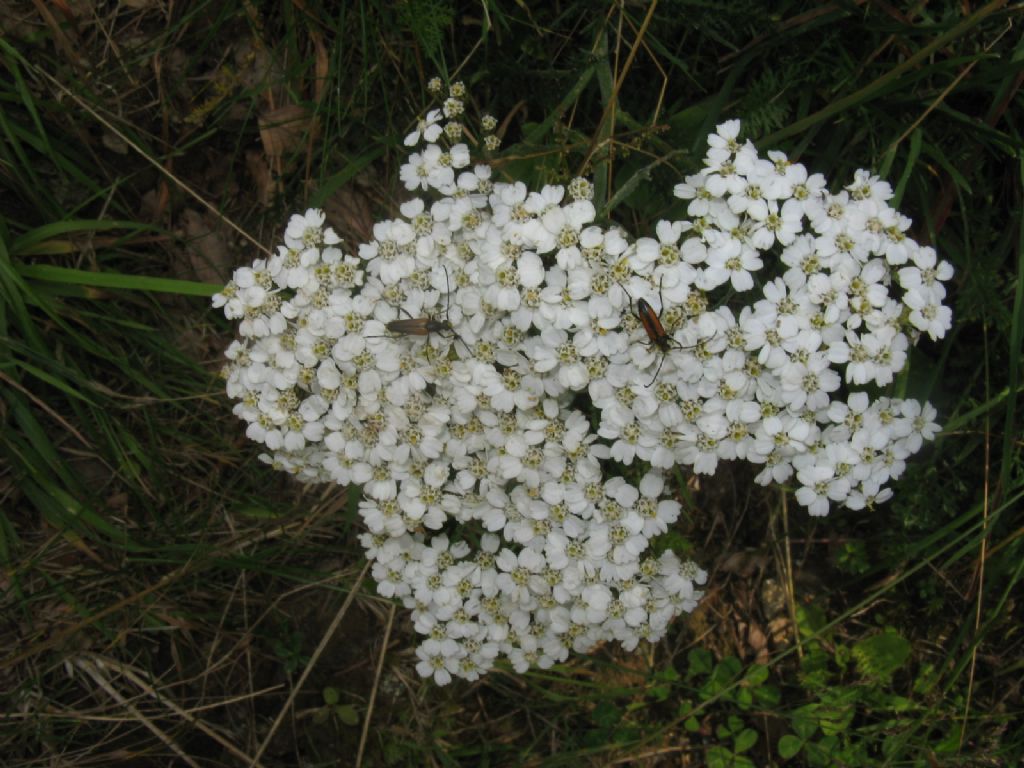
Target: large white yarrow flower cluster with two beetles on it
[(450, 371)]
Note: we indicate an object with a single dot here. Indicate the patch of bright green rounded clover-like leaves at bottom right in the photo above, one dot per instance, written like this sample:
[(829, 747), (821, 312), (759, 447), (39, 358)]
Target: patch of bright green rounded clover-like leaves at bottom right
[(854, 711)]
